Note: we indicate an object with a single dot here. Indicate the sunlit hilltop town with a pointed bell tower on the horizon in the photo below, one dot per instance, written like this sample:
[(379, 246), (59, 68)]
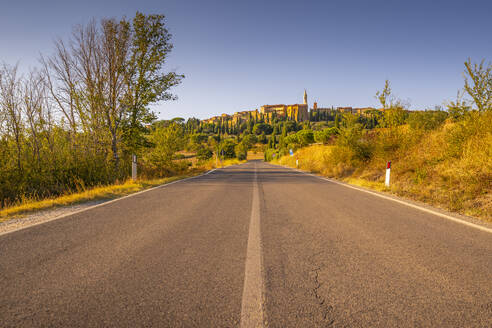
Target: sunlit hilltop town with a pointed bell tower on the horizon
[(293, 112)]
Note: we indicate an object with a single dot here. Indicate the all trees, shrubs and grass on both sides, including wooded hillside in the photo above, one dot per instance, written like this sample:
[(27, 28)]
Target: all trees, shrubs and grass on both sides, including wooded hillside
[(69, 128)]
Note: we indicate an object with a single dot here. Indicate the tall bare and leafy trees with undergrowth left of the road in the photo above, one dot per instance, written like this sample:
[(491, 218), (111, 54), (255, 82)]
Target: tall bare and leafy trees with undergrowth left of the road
[(75, 120)]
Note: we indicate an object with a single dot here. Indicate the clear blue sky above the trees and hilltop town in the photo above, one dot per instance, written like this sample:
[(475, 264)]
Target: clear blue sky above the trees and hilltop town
[(239, 55)]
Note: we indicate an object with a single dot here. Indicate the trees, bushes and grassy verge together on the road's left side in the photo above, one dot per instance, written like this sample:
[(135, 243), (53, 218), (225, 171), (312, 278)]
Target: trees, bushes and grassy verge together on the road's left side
[(69, 127)]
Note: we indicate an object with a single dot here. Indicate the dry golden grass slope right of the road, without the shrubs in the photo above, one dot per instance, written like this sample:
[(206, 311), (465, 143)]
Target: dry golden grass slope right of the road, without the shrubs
[(450, 167)]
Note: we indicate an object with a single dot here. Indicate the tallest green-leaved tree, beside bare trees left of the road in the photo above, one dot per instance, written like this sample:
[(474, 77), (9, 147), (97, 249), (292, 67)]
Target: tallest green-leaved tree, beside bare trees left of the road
[(146, 80)]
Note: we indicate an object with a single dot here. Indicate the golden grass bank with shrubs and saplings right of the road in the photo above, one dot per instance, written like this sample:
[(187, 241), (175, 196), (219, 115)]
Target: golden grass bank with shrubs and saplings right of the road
[(443, 158)]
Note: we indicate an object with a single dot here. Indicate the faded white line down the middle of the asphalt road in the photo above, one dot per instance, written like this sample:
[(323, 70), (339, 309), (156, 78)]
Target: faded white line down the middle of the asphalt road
[(253, 300)]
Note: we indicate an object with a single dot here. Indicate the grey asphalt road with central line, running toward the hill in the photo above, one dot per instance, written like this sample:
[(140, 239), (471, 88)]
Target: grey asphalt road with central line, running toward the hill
[(248, 245)]
